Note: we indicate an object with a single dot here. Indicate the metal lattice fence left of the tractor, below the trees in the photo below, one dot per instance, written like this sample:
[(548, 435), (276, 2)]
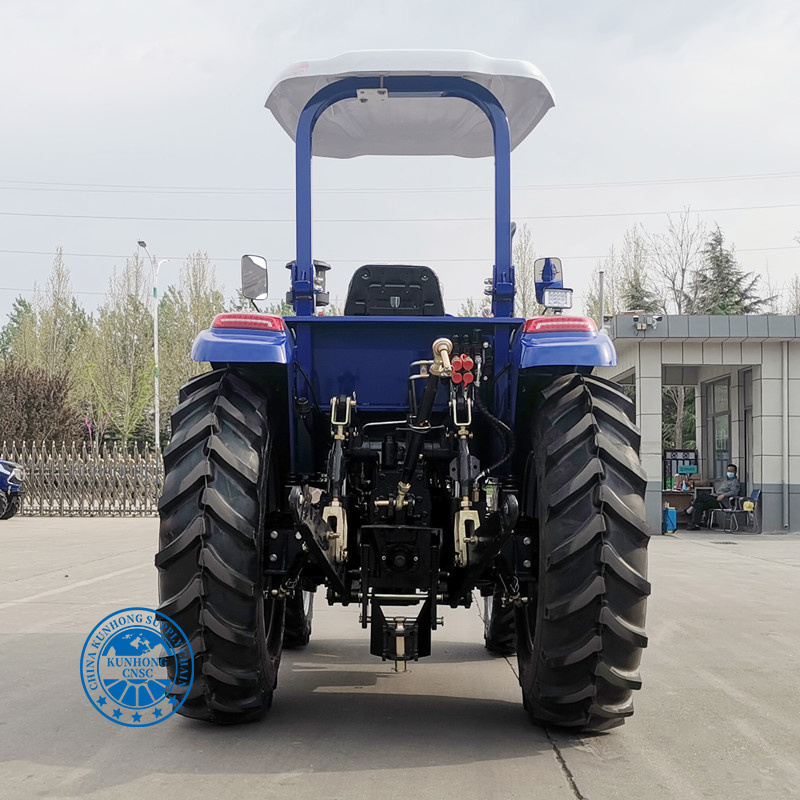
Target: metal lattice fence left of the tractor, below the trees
[(79, 480)]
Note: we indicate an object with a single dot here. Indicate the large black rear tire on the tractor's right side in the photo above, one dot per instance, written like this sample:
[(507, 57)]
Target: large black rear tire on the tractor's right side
[(580, 636)]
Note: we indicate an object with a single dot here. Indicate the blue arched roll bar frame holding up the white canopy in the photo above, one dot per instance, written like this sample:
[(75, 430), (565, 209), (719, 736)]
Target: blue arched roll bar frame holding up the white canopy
[(405, 86)]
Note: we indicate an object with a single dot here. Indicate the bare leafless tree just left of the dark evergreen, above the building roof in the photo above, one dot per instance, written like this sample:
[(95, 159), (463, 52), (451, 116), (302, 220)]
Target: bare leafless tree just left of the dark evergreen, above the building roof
[(676, 256)]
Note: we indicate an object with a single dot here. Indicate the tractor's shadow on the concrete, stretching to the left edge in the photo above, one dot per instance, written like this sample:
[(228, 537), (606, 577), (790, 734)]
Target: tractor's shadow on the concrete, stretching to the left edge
[(337, 709)]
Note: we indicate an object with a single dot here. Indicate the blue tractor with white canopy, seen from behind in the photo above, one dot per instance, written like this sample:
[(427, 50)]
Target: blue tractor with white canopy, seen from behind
[(404, 459)]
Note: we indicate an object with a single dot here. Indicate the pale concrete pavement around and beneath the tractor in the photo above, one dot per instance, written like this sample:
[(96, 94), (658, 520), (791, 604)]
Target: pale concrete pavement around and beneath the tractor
[(717, 717)]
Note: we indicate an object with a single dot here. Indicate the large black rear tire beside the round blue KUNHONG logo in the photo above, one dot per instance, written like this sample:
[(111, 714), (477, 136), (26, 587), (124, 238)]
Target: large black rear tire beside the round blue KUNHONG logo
[(210, 561)]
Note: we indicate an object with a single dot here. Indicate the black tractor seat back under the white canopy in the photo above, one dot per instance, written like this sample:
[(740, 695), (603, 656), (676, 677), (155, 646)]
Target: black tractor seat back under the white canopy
[(394, 291)]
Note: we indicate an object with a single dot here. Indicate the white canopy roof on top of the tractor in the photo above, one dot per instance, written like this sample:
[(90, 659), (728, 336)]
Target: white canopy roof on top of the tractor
[(411, 125)]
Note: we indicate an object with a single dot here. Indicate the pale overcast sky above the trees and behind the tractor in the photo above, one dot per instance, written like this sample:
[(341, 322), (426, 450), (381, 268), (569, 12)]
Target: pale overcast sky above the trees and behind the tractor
[(170, 93)]
